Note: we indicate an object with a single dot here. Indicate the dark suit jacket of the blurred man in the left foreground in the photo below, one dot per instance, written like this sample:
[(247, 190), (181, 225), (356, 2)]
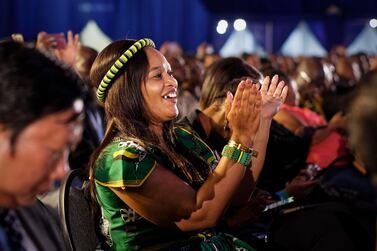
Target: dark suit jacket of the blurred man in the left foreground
[(42, 227)]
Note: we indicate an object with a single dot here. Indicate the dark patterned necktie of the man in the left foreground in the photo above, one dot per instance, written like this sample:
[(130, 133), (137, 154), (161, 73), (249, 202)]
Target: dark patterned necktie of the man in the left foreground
[(10, 224)]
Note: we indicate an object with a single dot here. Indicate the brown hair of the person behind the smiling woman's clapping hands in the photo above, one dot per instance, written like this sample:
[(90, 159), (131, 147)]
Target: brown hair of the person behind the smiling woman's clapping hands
[(219, 74)]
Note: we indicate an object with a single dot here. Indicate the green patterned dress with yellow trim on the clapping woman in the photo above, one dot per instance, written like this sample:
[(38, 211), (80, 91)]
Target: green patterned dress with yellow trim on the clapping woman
[(125, 164)]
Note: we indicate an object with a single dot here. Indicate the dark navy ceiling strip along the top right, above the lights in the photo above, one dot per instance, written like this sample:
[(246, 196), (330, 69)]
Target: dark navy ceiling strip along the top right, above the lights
[(319, 8)]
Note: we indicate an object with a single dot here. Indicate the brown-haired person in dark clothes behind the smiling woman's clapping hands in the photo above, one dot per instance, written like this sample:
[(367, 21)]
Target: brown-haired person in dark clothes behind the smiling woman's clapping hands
[(287, 152)]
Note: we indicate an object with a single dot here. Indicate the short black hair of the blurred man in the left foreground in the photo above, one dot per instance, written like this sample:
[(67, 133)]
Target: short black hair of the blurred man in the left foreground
[(32, 86)]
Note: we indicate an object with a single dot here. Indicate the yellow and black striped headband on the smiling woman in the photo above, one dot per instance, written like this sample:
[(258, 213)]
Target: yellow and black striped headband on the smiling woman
[(122, 60)]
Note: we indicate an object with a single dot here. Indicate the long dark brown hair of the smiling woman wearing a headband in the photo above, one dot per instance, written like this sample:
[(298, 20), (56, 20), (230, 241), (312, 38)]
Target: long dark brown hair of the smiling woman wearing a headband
[(125, 111)]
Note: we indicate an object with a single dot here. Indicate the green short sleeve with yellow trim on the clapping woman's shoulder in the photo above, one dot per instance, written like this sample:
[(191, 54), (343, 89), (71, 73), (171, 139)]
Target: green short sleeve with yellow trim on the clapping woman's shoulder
[(123, 163)]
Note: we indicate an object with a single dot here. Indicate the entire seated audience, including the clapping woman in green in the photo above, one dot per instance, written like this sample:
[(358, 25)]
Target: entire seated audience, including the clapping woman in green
[(187, 152)]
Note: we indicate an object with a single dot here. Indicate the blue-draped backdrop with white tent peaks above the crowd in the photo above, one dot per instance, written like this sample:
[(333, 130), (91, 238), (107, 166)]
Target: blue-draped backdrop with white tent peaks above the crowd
[(294, 27)]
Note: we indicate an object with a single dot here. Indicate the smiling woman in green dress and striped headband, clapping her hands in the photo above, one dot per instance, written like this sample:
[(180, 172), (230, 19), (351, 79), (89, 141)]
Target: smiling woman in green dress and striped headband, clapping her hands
[(159, 184)]
